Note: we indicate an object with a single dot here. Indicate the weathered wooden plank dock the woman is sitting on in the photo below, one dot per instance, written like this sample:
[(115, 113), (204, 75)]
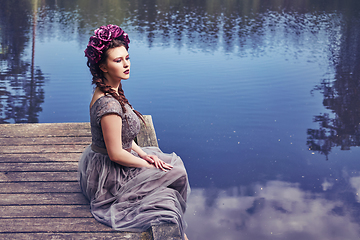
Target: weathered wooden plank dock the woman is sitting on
[(40, 197)]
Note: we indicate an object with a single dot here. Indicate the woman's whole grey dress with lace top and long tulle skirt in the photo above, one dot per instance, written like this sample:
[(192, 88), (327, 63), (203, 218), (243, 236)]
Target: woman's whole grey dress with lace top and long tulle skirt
[(127, 198)]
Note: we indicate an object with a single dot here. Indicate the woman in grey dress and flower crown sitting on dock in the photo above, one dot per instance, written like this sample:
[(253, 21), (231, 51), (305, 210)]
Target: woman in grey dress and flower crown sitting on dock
[(129, 188)]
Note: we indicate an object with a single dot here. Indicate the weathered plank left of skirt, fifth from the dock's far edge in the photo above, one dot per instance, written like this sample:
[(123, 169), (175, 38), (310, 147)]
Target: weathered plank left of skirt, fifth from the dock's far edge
[(39, 167)]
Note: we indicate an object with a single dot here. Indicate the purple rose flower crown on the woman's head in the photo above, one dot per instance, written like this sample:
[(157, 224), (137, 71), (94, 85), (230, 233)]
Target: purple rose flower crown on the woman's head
[(101, 40)]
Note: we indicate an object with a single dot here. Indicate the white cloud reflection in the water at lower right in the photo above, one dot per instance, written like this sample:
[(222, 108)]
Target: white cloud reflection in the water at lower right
[(276, 210)]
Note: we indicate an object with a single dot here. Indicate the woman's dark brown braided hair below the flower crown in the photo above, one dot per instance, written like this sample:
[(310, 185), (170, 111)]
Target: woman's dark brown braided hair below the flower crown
[(98, 77)]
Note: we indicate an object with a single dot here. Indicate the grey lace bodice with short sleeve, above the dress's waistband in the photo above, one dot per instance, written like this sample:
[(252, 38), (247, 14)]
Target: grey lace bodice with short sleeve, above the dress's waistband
[(130, 121)]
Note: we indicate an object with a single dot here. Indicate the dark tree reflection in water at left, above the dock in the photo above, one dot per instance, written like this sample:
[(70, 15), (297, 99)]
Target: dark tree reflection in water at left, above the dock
[(21, 82)]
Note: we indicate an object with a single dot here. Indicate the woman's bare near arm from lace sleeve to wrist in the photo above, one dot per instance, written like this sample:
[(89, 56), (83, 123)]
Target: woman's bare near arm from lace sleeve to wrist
[(111, 125)]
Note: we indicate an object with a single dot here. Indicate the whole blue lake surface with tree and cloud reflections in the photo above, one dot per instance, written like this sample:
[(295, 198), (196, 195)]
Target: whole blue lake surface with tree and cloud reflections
[(260, 99)]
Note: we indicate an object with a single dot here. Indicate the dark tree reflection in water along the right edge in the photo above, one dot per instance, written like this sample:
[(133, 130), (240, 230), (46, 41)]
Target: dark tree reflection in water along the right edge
[(341, 95)]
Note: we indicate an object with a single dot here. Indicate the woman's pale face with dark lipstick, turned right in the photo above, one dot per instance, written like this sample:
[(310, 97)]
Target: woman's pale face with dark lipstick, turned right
[(117, 64)]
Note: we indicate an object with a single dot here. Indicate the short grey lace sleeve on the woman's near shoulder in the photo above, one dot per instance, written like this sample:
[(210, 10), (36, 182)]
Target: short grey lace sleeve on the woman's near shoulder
[(107, 105)]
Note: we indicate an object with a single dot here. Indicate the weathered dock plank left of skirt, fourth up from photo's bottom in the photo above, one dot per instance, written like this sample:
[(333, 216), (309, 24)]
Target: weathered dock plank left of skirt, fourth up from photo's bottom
[(42, 198)]
